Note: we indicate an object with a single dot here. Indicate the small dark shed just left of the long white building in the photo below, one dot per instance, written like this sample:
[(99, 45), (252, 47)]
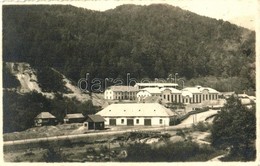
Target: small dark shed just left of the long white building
[(95, 122)]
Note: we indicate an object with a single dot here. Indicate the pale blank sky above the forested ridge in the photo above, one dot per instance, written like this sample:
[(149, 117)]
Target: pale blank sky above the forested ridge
[(240, 12)]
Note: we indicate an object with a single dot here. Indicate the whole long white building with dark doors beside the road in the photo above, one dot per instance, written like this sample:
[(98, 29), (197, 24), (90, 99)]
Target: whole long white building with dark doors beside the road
[(137, 114)]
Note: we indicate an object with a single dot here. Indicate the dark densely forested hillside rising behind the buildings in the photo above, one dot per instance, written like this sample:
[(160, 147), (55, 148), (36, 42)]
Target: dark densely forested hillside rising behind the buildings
[(146, 41)]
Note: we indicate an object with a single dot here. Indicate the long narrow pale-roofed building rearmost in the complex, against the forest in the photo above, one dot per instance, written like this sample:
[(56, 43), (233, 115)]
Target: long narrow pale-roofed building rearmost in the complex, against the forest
[(155, 85)]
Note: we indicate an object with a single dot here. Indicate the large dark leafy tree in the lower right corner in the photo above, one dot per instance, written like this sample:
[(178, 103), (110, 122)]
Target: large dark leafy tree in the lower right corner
[(234, 127)]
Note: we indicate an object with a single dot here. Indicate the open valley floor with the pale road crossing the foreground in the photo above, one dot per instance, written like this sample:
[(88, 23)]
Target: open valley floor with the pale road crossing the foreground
[(75, 142)]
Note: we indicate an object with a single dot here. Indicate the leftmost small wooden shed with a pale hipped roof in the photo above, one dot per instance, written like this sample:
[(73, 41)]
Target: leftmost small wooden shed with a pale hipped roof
[(45, 118)]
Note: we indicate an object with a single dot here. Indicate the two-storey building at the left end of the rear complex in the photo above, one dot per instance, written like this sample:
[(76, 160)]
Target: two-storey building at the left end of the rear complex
[(121, 93)]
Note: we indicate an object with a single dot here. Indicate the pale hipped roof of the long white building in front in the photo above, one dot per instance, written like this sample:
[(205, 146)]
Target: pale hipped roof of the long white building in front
[(136, 110)]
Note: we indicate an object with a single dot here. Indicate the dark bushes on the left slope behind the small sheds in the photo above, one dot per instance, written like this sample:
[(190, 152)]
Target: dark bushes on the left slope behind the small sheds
[(16, 107)]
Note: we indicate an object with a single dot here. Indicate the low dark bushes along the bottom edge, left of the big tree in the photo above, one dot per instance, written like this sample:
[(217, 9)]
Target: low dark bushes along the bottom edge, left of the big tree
[(179, 151)]
